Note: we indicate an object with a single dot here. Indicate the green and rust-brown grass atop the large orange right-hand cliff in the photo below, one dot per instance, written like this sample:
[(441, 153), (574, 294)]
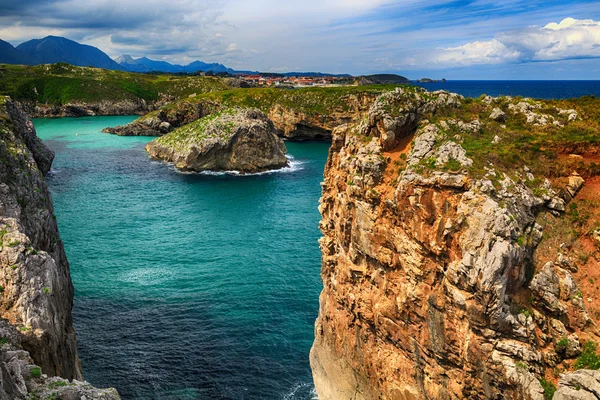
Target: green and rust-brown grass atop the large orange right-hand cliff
[(538, 147)]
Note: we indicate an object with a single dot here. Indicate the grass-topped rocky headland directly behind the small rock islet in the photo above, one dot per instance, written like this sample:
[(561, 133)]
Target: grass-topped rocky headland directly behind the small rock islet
[(298, 115)]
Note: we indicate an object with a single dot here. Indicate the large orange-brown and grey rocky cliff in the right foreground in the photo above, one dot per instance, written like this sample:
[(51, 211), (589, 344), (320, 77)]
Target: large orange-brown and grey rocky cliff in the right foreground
[(446, 274)]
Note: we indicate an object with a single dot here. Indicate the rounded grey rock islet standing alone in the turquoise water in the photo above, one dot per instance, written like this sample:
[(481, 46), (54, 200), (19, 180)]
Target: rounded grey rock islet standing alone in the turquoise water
[(234, 139)]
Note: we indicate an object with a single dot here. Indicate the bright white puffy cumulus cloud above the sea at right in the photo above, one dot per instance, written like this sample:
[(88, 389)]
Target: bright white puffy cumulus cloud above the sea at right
[(569, 39)]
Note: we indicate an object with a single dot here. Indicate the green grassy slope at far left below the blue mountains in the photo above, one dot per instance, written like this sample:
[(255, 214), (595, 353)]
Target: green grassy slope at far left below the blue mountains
[(58, 84)]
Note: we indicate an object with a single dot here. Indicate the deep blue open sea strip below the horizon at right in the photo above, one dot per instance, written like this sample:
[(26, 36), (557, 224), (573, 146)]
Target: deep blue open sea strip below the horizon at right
[(533, 89)]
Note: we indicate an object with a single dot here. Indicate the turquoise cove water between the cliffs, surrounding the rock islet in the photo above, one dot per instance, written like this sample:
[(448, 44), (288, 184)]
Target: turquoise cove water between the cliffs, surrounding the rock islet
[(187, 286)]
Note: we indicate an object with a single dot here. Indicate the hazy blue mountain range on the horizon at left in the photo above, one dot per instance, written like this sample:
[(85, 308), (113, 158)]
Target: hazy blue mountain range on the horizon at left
[(54, 49)]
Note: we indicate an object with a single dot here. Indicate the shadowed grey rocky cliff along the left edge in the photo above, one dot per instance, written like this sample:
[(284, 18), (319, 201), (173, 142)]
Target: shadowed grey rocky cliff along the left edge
[(35, 284)]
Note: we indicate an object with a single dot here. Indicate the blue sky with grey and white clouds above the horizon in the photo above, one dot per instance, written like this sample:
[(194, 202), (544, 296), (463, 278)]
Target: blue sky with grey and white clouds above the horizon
[(477, 39)]
